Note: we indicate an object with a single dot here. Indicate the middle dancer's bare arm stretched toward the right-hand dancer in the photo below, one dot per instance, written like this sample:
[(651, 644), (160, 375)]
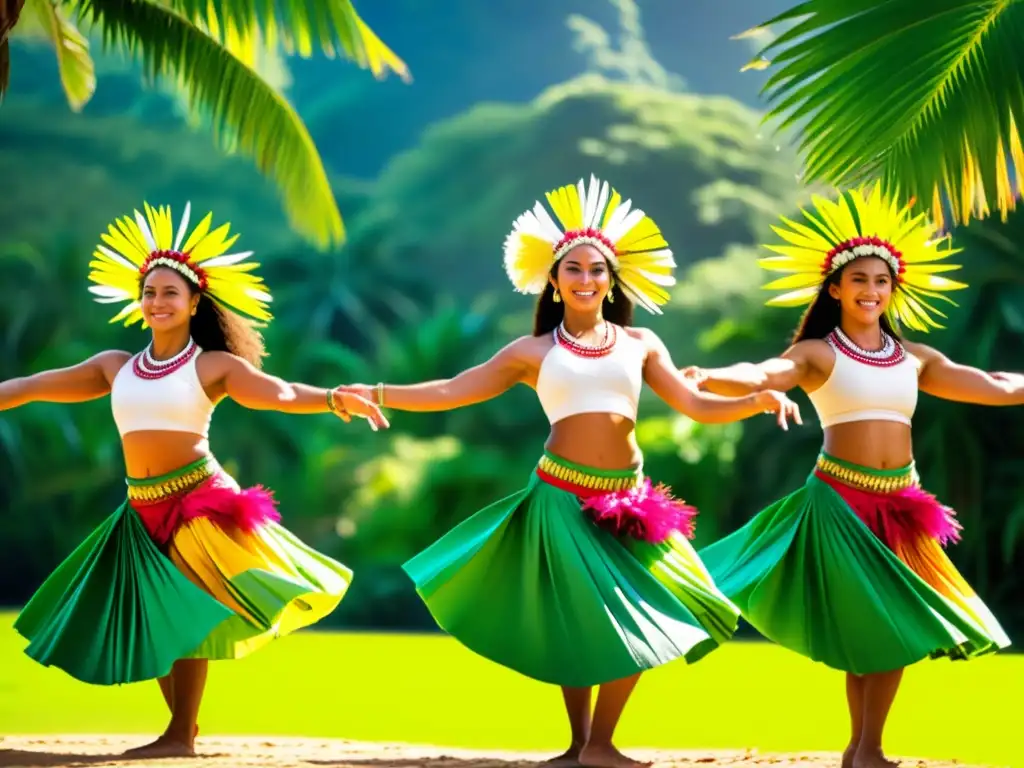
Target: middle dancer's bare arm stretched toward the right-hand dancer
[(684, 396)]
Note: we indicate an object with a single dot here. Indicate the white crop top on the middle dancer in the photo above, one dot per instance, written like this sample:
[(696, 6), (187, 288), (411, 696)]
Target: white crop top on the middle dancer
[(569, 385)]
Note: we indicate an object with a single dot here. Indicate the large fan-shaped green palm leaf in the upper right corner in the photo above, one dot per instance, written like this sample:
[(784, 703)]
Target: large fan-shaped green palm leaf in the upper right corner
[(928, 97)]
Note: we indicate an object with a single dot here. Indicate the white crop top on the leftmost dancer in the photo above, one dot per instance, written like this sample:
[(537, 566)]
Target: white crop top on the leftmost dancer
[(176, 403)]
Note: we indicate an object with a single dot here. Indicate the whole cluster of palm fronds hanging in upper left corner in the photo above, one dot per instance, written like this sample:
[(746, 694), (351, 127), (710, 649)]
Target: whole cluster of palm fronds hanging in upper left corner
[(211, 52)]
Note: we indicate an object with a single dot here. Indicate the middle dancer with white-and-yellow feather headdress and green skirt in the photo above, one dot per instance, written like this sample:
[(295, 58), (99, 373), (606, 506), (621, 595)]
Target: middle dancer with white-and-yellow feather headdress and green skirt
[(585, 577)]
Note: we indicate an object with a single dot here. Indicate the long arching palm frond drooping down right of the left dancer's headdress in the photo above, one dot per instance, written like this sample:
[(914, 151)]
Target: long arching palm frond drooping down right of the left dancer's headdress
[(244, 110)]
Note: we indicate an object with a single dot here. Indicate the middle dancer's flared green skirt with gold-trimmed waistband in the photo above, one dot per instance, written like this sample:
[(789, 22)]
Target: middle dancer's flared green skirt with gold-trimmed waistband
[(534, 584)]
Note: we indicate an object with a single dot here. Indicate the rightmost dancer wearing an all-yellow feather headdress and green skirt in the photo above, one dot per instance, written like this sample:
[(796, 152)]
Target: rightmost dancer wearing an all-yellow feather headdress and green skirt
[(850, 570)]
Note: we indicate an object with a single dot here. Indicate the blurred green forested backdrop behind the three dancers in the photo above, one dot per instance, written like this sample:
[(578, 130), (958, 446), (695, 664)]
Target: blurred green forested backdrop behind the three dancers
[(431, 187)]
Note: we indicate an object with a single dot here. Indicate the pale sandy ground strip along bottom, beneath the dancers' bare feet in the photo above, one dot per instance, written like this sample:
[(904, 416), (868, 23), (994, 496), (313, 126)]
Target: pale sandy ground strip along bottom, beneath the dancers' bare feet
[(272, 752)]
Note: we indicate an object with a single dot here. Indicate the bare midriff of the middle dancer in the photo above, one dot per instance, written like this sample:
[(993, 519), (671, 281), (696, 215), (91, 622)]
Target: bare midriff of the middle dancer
[(600, 441)]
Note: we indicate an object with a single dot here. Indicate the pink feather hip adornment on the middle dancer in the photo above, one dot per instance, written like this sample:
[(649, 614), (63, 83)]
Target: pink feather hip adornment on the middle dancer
[(647, 513)]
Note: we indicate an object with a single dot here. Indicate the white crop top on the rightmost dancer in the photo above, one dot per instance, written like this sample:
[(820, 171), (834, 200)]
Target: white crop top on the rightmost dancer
[(863, 392)]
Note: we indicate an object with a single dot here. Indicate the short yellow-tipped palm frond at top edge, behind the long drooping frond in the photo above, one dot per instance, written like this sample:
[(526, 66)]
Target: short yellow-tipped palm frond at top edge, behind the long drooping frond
[(300, 26)]
